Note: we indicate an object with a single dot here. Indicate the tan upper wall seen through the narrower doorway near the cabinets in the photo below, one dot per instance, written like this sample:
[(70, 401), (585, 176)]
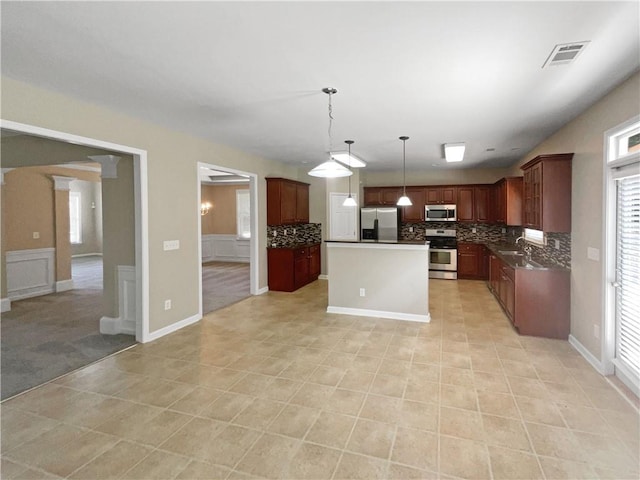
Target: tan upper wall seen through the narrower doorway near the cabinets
[(222, 217)]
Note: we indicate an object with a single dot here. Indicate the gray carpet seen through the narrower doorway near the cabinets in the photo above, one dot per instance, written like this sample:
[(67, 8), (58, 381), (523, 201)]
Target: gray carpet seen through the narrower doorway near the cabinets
[(224, 283)]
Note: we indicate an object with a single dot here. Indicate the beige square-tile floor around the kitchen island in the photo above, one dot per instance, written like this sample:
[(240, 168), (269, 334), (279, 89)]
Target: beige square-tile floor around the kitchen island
[(273, 387)]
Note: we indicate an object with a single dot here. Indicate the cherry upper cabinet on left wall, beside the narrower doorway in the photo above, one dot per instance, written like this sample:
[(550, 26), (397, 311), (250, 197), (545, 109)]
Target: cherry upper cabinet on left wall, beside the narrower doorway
[(287, 201)]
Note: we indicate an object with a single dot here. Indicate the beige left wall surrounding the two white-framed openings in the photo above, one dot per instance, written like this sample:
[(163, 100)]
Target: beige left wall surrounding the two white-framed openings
[(172, 185)]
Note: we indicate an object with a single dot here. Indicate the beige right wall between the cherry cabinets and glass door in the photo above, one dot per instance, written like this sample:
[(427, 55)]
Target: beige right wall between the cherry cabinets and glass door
[(585, 137)]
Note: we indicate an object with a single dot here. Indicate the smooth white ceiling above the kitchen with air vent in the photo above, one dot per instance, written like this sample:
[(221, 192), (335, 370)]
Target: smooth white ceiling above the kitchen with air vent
[(250, 74)]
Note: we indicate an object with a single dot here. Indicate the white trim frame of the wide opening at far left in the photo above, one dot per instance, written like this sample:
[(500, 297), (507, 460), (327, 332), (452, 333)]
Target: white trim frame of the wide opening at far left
[(141, 210)]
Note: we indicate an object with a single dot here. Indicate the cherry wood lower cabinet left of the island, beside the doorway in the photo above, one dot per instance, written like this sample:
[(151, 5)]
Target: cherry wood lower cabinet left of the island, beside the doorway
[(292, 268)]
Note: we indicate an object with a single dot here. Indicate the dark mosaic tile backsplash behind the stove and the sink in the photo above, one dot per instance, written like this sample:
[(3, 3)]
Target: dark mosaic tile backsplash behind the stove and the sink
[(495, 234)]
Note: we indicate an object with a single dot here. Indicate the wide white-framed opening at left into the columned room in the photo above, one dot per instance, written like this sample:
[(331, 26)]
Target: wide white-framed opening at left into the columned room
[(57, 297)]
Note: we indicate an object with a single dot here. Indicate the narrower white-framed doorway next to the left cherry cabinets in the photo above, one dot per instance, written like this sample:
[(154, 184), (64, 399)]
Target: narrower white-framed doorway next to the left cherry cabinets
[(227, 236)]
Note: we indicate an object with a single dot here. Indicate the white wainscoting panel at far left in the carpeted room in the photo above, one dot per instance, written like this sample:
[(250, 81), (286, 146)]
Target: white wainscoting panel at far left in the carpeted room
[(30, 273)]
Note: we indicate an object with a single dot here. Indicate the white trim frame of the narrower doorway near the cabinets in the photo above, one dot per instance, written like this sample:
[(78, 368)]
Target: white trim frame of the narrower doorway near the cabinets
[(254, 288)]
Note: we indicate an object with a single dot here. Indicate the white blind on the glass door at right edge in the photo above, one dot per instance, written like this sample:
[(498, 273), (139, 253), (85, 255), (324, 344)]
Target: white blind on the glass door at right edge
[(628, 274)]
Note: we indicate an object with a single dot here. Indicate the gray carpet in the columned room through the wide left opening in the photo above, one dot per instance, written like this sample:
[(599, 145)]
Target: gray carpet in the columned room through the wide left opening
[(48, 336)]
